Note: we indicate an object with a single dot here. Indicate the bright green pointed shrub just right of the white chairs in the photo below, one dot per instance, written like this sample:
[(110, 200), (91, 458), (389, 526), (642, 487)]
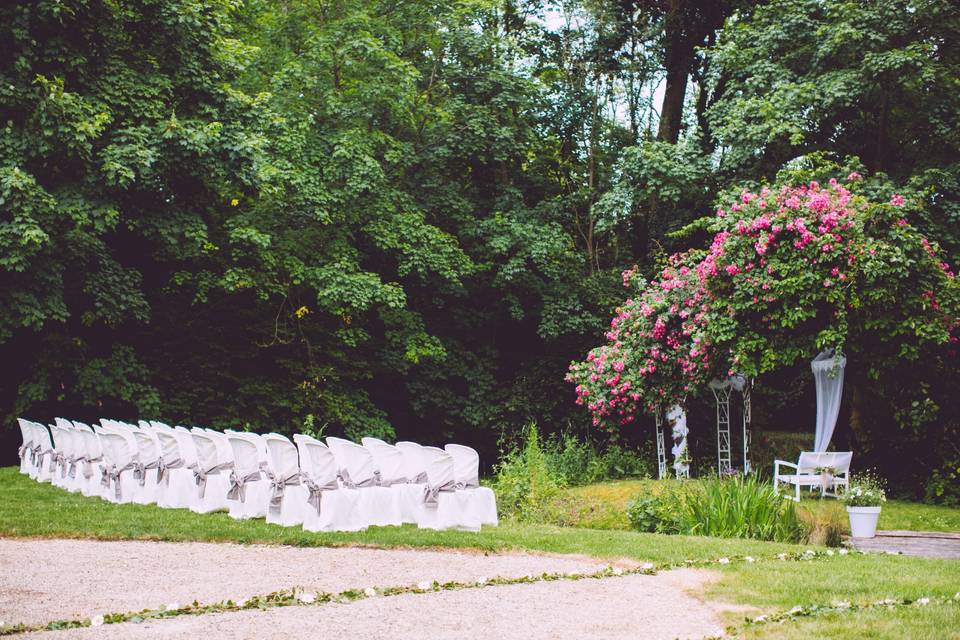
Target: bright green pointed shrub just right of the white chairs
[(527, 487)]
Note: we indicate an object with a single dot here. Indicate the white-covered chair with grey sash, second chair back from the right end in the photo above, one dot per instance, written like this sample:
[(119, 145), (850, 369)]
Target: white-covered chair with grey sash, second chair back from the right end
[(443, 507)]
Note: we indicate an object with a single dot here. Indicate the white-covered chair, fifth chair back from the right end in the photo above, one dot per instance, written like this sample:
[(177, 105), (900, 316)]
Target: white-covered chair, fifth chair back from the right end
[(378, 506)]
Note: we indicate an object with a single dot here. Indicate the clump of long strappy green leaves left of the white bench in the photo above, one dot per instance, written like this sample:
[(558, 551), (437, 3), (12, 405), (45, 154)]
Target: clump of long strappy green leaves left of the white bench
[(731, 507)]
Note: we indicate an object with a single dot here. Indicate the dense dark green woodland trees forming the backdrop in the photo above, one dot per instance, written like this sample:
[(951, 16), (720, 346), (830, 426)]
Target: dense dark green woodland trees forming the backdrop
[(408, 218)]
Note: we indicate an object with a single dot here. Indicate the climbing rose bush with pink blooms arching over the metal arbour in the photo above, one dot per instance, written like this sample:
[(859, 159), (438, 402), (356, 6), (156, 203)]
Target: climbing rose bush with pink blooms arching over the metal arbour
[(791, 270)]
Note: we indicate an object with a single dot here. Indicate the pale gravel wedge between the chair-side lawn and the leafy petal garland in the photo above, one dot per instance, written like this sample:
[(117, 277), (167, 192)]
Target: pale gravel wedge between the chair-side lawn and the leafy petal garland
[(67, 579)]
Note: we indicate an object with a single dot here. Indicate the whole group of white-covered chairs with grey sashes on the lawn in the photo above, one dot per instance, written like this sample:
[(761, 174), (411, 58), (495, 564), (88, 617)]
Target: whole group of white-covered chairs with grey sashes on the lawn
[(334, 486)]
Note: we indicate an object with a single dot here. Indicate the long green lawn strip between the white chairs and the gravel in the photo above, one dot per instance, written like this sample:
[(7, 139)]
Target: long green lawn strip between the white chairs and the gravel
[(28, 508)]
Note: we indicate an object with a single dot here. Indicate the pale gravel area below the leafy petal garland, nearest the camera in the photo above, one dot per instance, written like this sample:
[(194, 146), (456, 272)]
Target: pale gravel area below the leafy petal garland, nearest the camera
[(644, 607)]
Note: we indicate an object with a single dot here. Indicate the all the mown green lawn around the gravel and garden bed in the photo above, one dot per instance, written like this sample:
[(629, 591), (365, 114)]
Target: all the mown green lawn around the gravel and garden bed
[(28, 508)]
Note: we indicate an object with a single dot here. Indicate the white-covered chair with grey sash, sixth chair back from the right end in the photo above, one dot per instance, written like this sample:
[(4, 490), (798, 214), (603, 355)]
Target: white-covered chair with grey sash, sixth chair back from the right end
[(330, 507)]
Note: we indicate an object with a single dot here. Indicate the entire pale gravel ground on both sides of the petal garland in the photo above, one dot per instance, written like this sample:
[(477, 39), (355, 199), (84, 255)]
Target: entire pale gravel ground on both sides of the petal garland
[(46, 580)]
